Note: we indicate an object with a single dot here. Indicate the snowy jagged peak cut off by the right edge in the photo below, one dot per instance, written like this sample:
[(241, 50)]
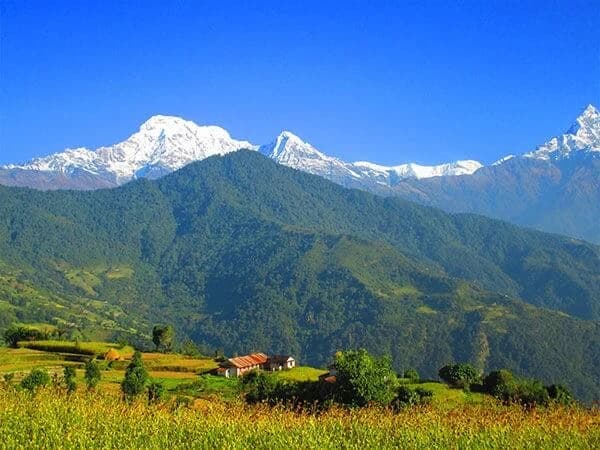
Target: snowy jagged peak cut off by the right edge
[(584, 135)]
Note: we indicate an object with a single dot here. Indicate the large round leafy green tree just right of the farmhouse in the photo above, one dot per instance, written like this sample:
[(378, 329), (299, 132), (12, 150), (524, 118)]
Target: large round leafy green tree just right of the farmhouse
[(362, 378)]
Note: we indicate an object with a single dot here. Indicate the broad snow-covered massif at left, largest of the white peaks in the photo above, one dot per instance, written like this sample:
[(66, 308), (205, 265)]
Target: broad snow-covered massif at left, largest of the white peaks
[(162, 144)]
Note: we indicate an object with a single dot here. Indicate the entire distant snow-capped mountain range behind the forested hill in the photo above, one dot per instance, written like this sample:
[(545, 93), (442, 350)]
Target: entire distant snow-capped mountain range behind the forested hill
[(555, 187)]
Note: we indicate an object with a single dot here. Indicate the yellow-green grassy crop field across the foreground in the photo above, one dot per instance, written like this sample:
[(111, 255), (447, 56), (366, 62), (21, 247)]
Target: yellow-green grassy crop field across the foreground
[(53, 420)]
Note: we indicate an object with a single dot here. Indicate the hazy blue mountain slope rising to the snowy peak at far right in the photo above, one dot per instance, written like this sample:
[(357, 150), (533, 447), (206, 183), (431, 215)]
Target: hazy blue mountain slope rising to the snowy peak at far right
[(553, 188)]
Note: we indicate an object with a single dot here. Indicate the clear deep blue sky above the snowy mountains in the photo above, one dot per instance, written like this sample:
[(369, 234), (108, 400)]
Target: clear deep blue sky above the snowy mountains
[(386, 81)]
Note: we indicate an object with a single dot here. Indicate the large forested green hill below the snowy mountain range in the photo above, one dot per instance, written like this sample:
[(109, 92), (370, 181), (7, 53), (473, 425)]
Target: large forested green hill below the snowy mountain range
[(242, 254)]
